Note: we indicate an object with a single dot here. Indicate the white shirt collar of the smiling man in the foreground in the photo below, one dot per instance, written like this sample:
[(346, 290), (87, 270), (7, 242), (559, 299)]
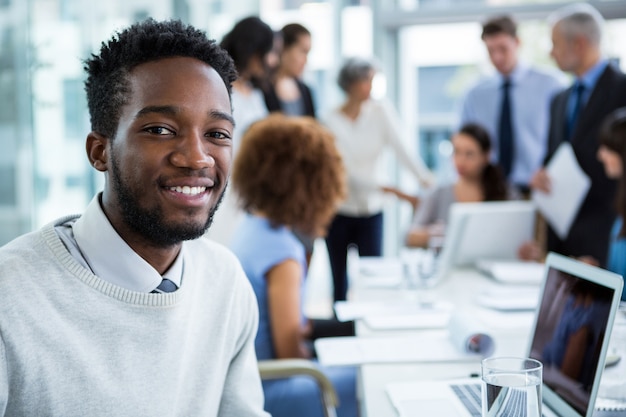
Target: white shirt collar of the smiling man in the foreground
[(110, 257)]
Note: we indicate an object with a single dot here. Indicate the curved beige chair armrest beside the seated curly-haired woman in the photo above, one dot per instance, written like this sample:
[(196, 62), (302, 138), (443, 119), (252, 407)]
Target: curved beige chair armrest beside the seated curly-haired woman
[(285, 368)]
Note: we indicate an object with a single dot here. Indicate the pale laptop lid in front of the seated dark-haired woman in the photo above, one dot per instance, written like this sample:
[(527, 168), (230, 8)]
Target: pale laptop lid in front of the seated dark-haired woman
[(492, 230)]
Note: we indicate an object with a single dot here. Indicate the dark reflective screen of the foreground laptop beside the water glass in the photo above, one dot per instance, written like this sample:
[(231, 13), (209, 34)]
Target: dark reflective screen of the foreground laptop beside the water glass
[(570, 334)]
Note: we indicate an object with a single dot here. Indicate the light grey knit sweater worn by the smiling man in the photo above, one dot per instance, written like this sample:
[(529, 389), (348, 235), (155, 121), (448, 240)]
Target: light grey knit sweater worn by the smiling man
[(72, 344)]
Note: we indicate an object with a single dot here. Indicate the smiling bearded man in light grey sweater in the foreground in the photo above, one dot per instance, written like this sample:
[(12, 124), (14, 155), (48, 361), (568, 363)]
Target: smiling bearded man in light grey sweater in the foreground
[(123, 311)]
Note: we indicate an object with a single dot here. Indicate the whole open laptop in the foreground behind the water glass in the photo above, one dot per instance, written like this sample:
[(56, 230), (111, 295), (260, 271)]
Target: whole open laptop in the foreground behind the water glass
[(569, 386)]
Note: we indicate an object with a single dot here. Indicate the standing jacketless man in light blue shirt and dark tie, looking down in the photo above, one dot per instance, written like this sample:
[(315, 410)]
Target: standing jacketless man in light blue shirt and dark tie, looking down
[(520, 140)]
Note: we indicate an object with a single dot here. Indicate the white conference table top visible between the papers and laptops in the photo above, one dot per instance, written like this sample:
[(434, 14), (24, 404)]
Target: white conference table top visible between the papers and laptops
[(459, 288)]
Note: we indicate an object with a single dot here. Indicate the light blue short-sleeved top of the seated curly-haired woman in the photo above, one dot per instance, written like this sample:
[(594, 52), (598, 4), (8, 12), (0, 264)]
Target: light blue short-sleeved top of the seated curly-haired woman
[(259, 248)]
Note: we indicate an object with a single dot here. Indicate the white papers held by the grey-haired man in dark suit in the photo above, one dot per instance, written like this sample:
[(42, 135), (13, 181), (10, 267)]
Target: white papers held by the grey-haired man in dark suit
[(569, 187)]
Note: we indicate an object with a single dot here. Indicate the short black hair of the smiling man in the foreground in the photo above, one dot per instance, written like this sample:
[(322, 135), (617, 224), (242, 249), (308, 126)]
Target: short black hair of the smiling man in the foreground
[(107, 73)]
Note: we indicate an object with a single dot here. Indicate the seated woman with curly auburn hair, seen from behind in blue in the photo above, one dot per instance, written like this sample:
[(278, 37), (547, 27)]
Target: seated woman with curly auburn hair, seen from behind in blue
[(289, 177)]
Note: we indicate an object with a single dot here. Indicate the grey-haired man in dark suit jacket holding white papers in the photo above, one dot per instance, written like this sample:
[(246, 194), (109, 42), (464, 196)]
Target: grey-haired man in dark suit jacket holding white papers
[(576, 35)]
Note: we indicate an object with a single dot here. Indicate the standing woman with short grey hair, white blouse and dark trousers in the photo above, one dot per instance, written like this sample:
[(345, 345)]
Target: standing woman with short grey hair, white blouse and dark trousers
[(364, 128)]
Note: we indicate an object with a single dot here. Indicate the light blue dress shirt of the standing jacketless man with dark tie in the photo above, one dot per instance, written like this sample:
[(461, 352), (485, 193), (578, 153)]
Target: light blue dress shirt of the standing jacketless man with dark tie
[(531, 93)]
